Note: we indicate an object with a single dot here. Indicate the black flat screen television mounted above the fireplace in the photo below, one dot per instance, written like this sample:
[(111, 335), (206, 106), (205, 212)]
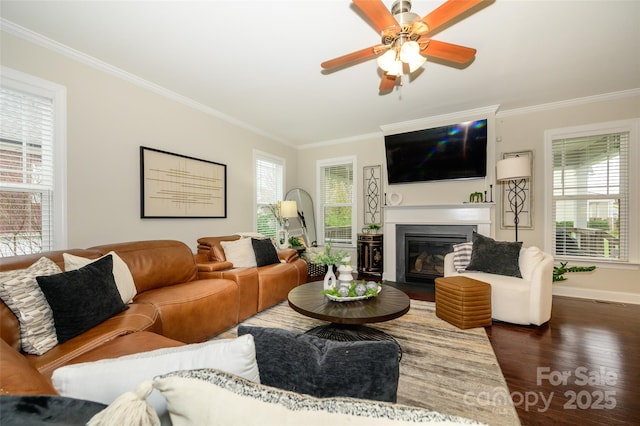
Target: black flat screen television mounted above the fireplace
[(457, 151)]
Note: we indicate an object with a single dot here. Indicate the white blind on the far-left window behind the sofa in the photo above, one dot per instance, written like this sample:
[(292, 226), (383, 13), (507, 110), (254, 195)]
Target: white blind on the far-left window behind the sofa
[(26, 172)]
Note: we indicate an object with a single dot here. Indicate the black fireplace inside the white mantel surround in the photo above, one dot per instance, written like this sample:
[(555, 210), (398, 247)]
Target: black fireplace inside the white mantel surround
[(420, 249)]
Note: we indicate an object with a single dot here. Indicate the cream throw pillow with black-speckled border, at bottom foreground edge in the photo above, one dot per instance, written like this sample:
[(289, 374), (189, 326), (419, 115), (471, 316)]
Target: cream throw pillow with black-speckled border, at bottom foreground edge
[(198, 397)]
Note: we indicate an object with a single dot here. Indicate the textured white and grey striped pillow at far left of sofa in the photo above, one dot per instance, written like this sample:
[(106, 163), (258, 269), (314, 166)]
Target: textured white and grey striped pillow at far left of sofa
[(20, 292)]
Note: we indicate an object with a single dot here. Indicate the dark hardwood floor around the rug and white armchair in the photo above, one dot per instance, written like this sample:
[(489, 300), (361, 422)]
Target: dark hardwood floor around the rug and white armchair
[(581, 368)]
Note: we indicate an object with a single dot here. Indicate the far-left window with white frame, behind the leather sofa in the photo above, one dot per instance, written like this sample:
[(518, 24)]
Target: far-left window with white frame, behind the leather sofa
[(32, 152)]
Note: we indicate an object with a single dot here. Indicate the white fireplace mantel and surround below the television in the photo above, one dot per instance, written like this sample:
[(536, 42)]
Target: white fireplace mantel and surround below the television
[(478, 214)]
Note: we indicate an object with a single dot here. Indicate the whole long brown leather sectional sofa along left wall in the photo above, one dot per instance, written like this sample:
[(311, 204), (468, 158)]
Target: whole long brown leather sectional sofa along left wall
[(182, 298)]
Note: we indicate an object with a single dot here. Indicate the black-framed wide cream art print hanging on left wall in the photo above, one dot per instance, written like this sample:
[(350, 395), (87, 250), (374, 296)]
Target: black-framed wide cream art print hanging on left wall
[(177, 186)]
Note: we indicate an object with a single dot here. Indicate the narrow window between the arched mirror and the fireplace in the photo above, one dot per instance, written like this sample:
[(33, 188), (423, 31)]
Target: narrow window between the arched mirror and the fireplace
[(337, 200)]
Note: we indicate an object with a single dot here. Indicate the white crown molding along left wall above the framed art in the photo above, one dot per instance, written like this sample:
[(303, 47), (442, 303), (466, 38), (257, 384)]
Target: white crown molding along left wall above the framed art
[(42, 41)]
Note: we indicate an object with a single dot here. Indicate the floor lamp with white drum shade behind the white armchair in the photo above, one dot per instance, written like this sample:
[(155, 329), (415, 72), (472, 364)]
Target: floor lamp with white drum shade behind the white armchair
[(515, 170)]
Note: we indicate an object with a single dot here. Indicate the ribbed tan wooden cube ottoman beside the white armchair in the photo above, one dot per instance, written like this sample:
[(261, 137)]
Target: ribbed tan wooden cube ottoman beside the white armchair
[(463, 302)]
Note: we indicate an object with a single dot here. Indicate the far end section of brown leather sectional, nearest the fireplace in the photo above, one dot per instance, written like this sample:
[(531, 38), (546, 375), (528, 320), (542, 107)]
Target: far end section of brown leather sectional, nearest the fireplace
[(260, 287)]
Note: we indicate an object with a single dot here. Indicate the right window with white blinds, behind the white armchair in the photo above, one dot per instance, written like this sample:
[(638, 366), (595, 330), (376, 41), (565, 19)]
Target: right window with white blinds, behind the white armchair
[(590, 195)]
